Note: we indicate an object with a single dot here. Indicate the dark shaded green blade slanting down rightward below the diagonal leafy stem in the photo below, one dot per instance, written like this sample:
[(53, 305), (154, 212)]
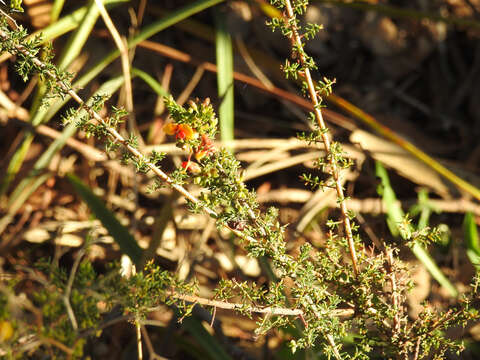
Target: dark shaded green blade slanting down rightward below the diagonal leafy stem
[(120, 234)]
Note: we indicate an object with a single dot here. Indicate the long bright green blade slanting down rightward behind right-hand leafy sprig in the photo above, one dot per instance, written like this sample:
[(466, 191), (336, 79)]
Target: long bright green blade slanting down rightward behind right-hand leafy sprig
[(395, 217)]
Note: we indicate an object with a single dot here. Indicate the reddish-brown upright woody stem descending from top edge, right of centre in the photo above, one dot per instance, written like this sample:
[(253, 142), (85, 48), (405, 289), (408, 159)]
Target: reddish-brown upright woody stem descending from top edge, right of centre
[(295, 37)]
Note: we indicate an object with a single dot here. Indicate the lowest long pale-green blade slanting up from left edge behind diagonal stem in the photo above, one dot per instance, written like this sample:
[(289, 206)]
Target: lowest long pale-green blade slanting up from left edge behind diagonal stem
[(29, 184)]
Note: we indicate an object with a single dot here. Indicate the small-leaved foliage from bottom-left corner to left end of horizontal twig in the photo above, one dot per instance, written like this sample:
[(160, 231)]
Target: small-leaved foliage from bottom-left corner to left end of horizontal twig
[(90, 296)]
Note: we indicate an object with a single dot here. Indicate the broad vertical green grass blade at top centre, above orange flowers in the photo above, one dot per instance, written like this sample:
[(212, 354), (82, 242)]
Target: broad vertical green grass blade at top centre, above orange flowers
[(224, 52)]
